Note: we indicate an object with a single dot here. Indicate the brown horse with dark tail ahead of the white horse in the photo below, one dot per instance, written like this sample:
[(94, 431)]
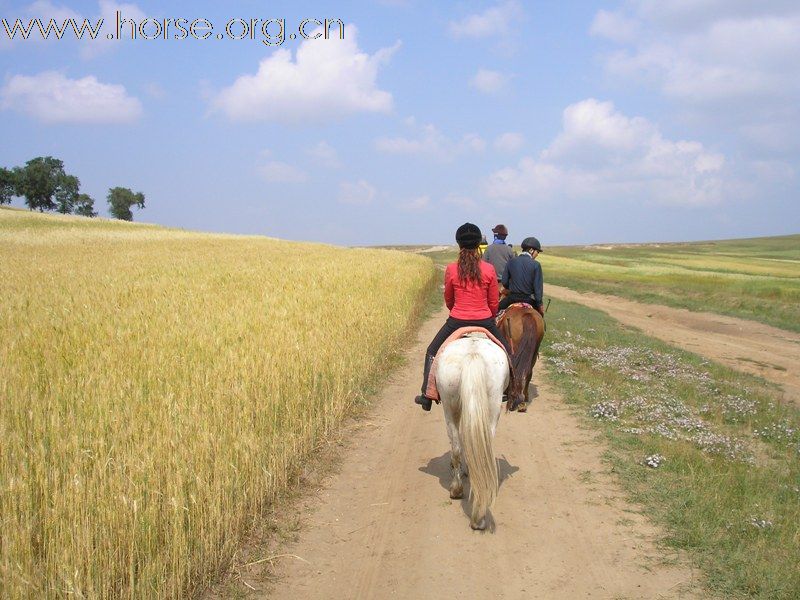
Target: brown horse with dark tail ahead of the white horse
[(523, 327)]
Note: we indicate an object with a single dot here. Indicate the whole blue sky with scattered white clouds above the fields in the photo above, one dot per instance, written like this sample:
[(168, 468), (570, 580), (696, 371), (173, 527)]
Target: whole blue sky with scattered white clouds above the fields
[(577, 122)]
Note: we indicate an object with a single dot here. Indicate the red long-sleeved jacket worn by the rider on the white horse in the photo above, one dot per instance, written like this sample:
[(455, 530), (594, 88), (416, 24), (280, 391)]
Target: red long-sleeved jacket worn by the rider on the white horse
[(471, 302)]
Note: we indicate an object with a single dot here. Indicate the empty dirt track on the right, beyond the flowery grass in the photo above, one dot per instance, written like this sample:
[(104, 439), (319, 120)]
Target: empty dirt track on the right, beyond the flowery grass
[(771, 353)]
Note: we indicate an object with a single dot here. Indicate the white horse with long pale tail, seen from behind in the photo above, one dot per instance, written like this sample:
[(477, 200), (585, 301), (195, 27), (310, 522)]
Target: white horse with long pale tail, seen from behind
[(471, 374)]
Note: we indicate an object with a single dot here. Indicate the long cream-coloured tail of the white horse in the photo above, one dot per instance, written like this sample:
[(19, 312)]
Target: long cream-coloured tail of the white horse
[(476, 435)]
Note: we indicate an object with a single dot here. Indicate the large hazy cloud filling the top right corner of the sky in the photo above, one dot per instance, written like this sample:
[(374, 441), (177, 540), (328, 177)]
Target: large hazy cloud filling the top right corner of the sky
[(731, 63)]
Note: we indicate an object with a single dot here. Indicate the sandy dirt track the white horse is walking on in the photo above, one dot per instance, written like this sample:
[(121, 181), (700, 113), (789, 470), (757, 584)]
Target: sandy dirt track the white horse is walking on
[(384, 526)]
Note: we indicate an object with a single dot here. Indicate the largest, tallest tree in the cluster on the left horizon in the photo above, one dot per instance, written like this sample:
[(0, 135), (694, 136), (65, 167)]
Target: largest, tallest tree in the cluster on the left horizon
[(45, 185)]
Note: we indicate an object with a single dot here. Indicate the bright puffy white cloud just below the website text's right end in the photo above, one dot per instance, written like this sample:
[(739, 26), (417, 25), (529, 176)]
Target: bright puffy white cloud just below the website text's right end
[(327, 79)]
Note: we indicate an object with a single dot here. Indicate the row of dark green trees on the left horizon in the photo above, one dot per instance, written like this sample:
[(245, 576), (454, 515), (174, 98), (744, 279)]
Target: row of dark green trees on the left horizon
[(45, 185)]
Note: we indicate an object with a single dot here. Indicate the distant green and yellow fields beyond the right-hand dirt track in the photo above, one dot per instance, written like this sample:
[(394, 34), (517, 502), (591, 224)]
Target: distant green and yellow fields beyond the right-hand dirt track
[(756, 279)]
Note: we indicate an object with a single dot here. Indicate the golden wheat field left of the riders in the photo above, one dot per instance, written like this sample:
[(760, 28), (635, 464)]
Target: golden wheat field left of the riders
[(160, 387)]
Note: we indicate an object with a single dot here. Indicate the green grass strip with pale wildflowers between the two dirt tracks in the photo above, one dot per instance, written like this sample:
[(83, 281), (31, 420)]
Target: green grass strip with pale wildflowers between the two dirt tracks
[(728, 489)]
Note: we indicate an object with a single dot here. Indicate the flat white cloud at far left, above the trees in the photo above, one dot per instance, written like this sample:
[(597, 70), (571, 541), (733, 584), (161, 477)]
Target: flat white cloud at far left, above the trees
[(53, 98)]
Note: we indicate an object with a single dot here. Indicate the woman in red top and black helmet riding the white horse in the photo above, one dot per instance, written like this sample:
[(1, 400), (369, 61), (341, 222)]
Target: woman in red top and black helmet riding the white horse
[(470, 292)]
